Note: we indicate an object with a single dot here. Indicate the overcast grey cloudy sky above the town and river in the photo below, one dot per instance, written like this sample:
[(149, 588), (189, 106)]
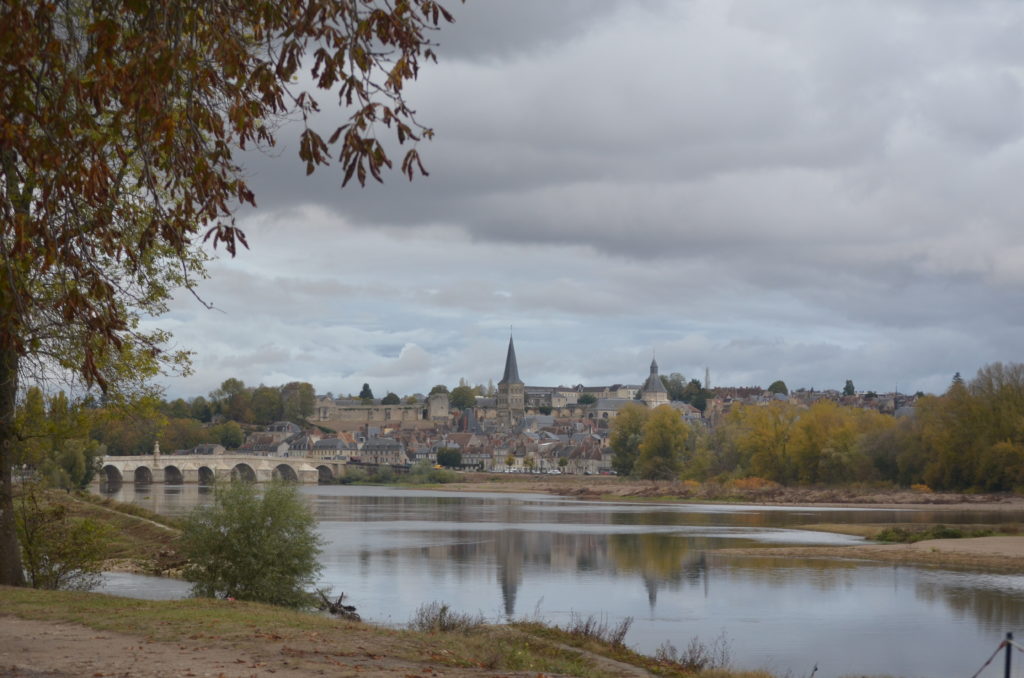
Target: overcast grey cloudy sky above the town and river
[(795, 190)]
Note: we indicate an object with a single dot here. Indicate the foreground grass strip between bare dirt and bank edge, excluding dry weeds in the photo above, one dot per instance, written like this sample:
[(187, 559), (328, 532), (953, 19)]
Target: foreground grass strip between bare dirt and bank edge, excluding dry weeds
[(274, 631)]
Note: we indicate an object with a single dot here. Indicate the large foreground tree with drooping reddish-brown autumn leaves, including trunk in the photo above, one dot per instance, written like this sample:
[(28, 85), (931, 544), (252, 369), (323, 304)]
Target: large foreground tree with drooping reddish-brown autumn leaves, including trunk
[(119, 125)]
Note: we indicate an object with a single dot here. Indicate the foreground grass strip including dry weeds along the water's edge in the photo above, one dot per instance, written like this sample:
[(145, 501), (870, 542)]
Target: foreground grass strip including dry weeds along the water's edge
[(315, 643)]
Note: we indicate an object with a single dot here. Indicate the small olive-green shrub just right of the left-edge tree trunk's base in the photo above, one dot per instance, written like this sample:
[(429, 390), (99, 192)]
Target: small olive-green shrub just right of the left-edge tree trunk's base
[(59, 552)]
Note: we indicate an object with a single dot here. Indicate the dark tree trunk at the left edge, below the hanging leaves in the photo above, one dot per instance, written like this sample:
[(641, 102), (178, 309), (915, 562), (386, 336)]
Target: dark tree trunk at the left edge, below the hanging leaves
[(12, 573)]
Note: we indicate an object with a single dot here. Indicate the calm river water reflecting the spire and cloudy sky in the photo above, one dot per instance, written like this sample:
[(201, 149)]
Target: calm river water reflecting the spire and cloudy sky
[(526, 557)]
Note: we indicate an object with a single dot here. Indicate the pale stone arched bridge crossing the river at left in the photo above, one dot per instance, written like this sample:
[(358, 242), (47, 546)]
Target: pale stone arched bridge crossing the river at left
[(178, 470)]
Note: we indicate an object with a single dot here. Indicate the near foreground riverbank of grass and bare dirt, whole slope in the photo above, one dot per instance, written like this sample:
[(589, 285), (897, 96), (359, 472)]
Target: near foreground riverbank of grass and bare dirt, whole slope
[(61, 634)]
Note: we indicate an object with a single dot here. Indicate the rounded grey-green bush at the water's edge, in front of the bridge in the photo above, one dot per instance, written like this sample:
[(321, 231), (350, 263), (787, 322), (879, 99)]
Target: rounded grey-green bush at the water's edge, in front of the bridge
[(253, 547)]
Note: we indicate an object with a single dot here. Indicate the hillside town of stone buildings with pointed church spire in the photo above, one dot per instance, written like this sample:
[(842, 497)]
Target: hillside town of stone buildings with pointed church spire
[(519, 430)]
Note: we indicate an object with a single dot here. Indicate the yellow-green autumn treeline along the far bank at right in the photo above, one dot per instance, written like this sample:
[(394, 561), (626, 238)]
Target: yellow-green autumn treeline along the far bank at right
[(969, 439)]
